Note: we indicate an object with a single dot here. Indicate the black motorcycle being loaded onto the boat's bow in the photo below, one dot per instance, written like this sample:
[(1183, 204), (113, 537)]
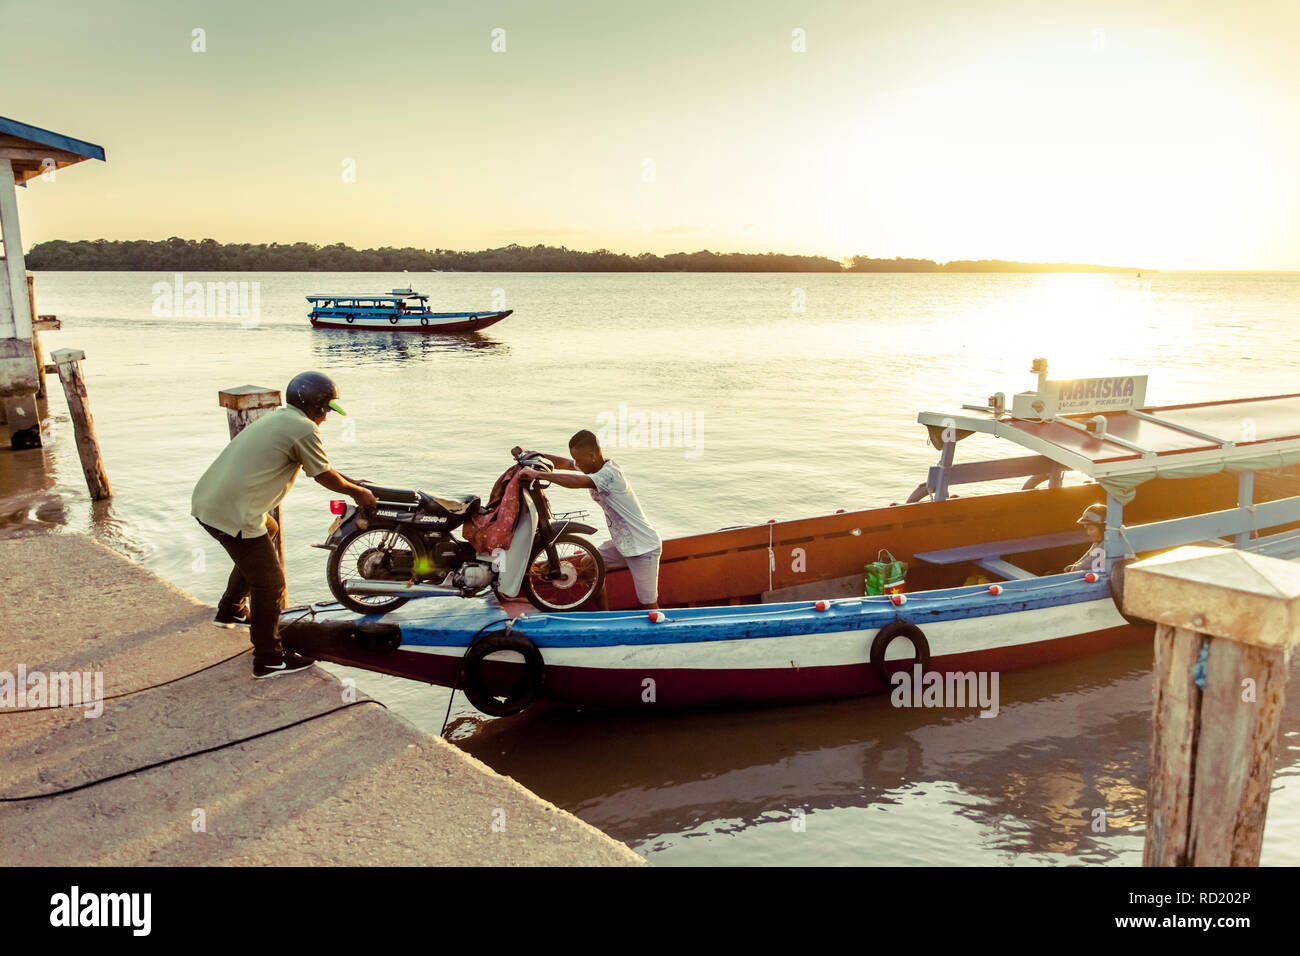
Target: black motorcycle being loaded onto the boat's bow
[(383, 557)]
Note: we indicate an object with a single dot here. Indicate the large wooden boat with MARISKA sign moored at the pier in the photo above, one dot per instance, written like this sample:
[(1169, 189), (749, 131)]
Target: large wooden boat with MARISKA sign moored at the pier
[(777, 613)]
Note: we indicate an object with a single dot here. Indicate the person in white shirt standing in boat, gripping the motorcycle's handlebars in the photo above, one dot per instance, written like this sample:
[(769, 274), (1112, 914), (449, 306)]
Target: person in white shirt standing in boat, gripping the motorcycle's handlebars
[(634, 544)]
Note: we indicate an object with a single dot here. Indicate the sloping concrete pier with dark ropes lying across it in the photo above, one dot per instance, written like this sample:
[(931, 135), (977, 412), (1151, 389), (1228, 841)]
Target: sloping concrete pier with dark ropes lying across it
[(193, 763)]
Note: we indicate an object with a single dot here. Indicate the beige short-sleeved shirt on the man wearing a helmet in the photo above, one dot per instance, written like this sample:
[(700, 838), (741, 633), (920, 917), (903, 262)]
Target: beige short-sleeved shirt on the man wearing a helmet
[(255, 471)]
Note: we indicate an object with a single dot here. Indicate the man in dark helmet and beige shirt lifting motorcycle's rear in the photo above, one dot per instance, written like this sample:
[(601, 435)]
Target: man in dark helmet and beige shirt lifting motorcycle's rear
[(239, 491)]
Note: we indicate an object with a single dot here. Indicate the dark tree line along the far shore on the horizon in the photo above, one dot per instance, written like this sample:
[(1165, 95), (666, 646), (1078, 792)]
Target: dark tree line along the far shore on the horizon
[(210, 256)]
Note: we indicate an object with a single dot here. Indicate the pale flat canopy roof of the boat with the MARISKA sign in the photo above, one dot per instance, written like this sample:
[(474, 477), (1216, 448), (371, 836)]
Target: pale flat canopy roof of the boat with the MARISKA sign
[(1123, 449)]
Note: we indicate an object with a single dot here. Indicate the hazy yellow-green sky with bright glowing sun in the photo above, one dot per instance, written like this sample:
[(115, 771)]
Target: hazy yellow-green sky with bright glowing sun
[(1160, 135)]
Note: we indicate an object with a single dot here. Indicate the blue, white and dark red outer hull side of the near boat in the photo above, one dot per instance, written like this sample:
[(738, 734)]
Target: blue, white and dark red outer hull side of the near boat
[(742, 655)]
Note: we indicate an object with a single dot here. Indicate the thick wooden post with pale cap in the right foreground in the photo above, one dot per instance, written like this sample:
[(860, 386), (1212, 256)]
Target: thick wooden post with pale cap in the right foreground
[(1227, 625)]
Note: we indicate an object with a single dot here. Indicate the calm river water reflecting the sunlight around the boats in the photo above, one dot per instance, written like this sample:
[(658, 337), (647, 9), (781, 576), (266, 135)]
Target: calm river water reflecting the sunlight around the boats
[(804, 392)]
